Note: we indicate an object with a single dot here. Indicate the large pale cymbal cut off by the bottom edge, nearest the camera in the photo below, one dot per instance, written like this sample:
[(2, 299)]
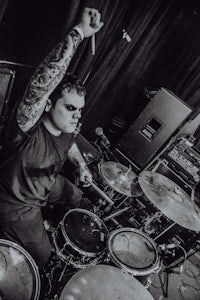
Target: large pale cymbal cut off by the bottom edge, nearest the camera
[(104, 282)]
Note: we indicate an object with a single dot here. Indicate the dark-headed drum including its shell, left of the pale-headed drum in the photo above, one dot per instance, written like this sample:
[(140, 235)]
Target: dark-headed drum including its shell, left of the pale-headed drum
[(80, 238)]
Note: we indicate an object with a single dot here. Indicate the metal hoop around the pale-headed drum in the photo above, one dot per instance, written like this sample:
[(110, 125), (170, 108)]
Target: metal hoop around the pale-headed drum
[(133, 271)]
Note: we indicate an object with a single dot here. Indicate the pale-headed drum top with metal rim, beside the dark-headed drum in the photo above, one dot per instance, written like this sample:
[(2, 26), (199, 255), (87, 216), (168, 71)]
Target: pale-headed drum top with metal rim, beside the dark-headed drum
[(132, 250)]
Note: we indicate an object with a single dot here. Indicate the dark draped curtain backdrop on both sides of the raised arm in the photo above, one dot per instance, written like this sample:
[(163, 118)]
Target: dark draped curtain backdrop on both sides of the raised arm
[(163, 51)]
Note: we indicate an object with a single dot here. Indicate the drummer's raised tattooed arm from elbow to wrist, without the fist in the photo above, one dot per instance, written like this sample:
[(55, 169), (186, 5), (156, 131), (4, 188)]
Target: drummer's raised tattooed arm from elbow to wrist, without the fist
[(45, 79)]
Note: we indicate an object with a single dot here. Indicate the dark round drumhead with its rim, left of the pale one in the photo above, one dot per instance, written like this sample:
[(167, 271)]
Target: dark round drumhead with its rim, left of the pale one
[(85, 231)]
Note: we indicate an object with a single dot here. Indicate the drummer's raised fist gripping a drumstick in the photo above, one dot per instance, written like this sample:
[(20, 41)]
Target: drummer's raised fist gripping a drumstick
[(90, 21)]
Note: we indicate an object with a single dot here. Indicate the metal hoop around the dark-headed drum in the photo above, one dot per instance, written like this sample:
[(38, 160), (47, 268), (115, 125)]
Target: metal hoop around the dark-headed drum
[(89, 254)]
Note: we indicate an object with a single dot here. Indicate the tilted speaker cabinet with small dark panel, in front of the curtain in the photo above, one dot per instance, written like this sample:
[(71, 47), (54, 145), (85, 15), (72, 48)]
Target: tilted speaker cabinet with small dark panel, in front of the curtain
[(154, 126)]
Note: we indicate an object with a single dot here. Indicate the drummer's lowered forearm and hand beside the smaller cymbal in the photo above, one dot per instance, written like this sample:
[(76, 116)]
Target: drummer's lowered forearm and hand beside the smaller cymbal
[(75, 157)]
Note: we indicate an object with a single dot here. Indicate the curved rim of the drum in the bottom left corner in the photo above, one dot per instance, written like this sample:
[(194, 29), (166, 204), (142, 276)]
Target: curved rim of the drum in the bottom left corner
[(34, 268)]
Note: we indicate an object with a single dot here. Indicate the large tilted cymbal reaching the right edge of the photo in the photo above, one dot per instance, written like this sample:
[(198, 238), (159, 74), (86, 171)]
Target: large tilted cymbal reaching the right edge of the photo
[(170, 199)]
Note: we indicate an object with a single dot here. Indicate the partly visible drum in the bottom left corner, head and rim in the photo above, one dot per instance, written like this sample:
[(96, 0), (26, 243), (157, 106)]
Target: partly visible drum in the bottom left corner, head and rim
[(19, 276)]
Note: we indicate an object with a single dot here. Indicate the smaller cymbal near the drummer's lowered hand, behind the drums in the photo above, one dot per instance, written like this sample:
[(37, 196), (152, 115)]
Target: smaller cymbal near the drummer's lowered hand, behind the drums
[(120, 178)]
